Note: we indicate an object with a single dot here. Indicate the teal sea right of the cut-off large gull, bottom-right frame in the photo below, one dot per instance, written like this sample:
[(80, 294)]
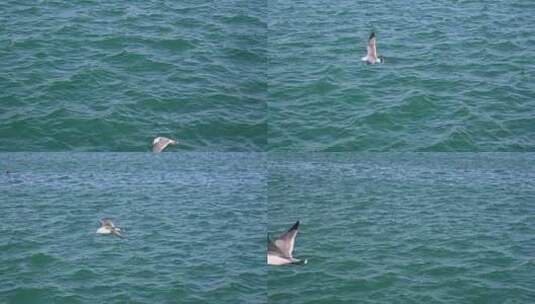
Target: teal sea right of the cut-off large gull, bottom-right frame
[(405, 228)]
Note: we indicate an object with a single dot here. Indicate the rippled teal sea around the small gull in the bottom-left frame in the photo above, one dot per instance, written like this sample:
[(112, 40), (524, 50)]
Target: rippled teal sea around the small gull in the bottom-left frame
[(195, 226)]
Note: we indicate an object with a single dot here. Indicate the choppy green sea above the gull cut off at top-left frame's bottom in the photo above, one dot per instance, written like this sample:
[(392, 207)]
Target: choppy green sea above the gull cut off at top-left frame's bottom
[(87, 75)]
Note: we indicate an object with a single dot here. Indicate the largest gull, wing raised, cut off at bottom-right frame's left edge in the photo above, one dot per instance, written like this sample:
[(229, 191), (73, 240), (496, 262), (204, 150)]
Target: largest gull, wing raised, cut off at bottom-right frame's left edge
[(280, 250)]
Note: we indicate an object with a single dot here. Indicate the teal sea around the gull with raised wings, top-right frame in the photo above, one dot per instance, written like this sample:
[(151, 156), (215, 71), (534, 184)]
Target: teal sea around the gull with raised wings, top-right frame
[(458, 75)]
